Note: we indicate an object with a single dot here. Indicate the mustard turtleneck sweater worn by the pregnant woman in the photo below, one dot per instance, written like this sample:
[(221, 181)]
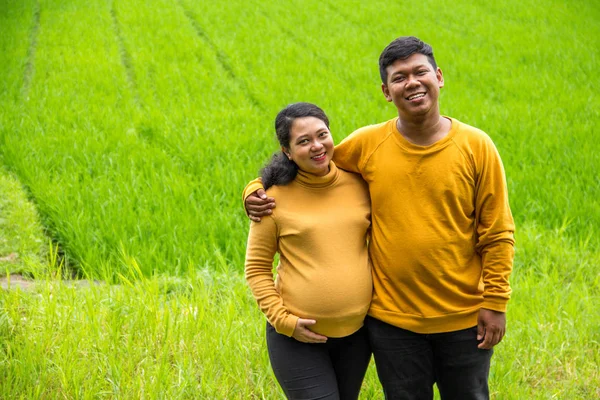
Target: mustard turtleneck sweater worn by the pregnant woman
[(319, 228)]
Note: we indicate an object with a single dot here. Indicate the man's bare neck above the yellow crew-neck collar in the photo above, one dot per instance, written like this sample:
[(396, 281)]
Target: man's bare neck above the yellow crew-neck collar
[(425, 131)]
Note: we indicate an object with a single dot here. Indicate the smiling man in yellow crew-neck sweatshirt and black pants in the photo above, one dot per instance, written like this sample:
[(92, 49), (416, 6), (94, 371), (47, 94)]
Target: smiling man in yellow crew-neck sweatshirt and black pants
[(442, 235)]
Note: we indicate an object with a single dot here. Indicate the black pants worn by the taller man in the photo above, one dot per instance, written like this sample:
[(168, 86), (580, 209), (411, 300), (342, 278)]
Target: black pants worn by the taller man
[(408, 363)]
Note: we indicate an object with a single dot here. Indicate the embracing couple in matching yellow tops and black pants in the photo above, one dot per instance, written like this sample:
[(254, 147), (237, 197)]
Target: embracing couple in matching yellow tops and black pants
[(398, 242)]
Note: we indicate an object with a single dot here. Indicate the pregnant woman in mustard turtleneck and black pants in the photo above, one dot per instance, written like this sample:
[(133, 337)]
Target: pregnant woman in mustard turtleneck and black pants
[(315, 308)]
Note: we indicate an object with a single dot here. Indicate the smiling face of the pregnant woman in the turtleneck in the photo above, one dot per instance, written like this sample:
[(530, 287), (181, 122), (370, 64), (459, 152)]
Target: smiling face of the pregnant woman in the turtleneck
[(311, 145)]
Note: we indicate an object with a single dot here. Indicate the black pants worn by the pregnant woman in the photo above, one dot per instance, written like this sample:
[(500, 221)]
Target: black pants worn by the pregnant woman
[(332, 370)]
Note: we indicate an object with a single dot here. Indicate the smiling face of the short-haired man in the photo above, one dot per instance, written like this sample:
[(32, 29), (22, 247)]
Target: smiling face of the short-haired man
[(413, 85)]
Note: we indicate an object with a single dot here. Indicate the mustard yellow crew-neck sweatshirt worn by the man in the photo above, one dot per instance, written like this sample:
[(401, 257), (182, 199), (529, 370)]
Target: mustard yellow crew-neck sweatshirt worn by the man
[(442, 231)]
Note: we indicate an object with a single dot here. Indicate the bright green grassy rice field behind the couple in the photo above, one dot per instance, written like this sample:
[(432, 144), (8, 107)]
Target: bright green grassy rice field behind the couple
[(128, 129)]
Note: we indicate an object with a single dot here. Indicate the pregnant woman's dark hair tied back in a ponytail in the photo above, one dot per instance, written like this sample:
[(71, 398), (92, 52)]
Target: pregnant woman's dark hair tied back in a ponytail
[(281, 170)]
